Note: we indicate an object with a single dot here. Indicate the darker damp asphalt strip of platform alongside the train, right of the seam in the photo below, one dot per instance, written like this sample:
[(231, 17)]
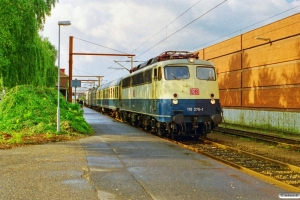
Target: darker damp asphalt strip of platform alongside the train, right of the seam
[(127, 163)]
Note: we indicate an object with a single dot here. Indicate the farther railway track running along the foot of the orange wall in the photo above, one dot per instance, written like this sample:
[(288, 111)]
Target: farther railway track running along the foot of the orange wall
[(273, 139)]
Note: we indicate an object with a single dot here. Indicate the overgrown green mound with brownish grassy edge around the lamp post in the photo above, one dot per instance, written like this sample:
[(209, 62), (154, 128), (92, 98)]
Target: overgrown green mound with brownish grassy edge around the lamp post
[(28, 115)]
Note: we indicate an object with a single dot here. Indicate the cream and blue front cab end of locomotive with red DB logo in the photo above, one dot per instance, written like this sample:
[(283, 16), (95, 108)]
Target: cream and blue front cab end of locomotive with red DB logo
[(187, 97)]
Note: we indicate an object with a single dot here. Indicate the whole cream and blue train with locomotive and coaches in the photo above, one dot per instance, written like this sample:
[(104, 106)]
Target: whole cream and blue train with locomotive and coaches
[(173, 94)]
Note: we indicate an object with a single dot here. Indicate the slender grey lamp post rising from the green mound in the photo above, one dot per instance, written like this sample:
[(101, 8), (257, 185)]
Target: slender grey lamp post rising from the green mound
[(60, 23)]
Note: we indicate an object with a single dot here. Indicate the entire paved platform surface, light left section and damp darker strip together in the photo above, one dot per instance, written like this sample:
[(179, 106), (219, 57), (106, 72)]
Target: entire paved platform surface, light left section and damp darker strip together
[(121, 162)]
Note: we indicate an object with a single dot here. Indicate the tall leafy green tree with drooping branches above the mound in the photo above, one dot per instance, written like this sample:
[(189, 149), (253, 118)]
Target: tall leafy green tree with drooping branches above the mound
[(25, 57)]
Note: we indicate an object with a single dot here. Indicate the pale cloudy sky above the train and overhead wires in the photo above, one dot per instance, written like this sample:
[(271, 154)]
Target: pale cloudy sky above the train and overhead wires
[(147, 28)]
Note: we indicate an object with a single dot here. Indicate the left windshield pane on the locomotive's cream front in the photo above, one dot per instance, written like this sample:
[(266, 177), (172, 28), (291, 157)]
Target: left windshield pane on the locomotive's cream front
[(176, 72)]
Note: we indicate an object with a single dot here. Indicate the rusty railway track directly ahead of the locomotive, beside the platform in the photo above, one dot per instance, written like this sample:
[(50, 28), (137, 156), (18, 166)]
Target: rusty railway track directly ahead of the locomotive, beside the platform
[(278, 173)]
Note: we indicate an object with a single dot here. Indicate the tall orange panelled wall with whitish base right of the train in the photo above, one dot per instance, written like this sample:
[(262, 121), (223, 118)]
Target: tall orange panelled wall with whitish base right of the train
[(259, 80)]
